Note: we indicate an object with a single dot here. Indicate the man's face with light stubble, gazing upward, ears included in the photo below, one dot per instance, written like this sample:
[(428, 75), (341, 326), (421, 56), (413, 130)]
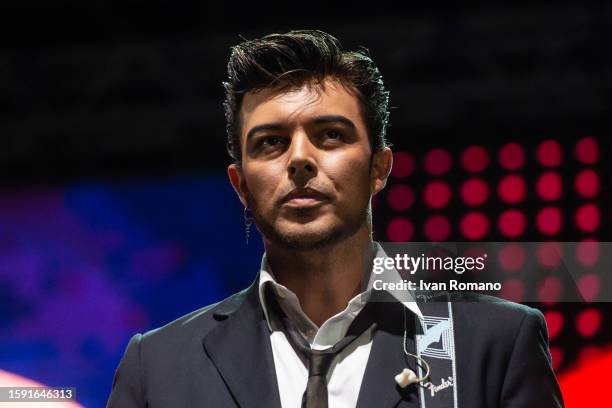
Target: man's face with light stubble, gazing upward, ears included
[(306, 165)]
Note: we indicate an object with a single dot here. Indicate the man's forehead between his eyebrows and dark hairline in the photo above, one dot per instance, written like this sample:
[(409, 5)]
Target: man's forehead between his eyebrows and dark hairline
[(292, 106)]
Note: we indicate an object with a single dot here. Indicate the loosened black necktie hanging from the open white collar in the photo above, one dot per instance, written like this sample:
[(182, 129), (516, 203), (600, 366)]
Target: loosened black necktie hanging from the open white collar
[(319, 361)]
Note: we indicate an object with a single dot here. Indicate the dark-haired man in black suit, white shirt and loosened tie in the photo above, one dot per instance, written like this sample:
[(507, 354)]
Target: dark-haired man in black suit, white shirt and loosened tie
[(306, 128)]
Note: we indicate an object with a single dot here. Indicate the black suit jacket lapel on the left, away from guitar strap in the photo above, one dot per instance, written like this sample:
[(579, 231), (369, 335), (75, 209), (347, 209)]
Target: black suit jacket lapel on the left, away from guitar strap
[(240, 348)]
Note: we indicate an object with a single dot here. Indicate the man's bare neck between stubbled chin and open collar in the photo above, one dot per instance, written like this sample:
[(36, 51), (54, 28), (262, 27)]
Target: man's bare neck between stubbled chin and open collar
[(324, 279)]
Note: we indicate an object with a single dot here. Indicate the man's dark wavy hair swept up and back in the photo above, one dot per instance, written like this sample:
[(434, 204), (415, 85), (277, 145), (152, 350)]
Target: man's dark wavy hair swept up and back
[(302, 57)]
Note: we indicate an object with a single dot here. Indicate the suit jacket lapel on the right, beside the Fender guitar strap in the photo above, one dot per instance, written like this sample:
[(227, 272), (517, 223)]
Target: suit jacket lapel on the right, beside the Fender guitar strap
[(387, 359)]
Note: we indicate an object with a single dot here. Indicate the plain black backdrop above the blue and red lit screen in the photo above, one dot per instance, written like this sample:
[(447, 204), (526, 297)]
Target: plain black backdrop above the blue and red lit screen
[(129, 88)]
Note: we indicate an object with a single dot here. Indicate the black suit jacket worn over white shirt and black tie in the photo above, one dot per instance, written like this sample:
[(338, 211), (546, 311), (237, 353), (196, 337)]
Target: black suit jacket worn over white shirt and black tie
[(221, 356)]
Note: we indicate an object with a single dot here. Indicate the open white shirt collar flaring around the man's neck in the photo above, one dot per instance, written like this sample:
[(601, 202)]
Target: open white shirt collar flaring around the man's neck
[(289, 298)]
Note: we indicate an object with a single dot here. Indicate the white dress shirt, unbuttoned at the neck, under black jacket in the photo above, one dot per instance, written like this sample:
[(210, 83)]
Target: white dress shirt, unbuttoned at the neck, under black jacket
[(347, 370)]
